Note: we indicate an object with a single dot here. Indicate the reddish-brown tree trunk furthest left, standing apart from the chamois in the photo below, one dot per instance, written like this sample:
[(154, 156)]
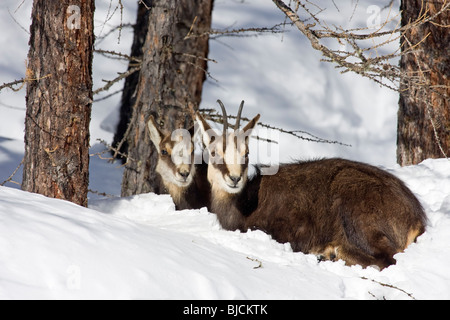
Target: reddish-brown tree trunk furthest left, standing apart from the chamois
[(59, 99)]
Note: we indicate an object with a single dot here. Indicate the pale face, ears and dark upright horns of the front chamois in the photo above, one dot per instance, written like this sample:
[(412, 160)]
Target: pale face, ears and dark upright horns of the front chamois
[(228, 152)]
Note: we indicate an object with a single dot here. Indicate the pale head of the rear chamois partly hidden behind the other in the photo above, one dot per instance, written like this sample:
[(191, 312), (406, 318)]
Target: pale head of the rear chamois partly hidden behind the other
[(175, 154)]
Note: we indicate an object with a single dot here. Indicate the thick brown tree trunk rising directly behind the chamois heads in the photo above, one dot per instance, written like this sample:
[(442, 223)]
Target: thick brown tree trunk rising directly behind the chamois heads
[(171, 77)]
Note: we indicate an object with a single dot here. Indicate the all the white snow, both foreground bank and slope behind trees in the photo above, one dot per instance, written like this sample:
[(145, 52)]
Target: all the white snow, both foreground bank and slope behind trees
[(140, 247)]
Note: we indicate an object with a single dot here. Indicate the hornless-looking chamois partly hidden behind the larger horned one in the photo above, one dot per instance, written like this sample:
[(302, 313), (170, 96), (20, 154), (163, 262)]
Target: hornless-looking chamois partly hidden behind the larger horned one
[(184, 180)]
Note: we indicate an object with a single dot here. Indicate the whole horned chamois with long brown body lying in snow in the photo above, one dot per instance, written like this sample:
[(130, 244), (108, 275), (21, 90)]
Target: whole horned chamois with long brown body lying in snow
[(333, 208)]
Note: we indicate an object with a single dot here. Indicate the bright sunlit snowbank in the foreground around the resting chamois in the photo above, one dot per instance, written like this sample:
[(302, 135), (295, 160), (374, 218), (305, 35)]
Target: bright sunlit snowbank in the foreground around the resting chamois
[(141, 248)]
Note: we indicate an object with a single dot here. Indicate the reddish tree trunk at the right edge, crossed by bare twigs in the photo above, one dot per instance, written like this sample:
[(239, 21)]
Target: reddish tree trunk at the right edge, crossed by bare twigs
[(424, 106)]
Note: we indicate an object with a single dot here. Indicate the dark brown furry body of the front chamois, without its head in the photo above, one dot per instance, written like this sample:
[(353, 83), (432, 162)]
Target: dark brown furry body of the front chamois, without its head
[(335, 208)]
